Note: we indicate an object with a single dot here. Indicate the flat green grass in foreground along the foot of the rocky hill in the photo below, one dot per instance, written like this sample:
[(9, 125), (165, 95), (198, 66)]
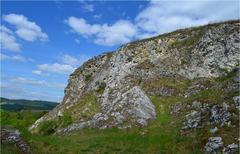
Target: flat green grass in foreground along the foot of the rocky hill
[(159, 137)]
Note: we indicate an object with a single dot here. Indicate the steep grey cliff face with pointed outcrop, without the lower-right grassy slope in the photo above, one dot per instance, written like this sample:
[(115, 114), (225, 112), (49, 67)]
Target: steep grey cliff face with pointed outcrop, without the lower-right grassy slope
[(115, 89)]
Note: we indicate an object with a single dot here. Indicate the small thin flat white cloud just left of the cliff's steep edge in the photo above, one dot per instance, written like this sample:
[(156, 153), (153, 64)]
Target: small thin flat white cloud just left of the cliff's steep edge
[(56, 68)]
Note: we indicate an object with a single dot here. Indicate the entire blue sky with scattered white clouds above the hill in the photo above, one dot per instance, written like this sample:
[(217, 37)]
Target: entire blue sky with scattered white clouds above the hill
[(43, 42)]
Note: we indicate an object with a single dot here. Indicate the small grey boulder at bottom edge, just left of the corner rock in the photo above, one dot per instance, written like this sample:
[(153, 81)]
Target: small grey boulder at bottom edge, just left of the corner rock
[(213, 145)]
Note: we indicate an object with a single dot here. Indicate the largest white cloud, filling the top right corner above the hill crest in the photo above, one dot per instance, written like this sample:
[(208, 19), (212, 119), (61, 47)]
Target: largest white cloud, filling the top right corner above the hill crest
[(165, 16)]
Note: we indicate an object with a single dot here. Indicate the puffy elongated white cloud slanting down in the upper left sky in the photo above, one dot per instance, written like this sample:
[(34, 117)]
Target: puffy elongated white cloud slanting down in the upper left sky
[(25, 29)]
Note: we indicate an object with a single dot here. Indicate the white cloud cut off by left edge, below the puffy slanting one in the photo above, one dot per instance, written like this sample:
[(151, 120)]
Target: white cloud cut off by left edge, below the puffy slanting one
[(7, 40)]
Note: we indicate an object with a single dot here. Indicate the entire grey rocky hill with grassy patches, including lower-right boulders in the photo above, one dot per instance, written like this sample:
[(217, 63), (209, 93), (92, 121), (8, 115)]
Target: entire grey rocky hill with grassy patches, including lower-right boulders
[(190, 74)]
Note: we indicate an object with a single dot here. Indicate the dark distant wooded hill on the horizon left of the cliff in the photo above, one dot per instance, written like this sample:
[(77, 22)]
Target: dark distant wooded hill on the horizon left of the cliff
[(22, 104)]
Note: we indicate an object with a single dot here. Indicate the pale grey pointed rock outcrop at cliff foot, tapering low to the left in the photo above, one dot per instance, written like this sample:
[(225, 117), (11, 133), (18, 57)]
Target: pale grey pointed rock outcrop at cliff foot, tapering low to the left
[(133, 105)]
